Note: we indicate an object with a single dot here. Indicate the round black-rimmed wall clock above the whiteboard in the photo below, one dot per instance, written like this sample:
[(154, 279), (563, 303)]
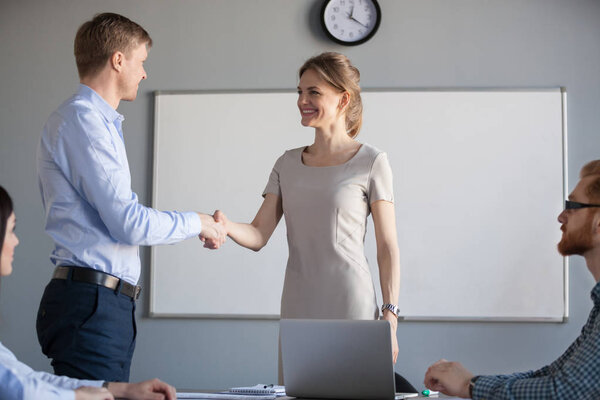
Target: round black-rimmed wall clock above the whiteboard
[(350, 22)]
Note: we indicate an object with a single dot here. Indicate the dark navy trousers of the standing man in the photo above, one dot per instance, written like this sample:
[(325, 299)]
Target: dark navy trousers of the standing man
[(87, 330)]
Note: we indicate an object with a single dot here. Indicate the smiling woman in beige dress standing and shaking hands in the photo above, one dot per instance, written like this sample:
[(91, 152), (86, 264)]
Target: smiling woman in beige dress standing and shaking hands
[(326, 192)]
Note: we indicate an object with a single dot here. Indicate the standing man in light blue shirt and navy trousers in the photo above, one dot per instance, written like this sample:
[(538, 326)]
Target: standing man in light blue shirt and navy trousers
[(86, 320)]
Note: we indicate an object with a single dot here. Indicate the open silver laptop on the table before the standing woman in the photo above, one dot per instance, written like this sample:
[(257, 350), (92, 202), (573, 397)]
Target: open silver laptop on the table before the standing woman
[(337, 359)]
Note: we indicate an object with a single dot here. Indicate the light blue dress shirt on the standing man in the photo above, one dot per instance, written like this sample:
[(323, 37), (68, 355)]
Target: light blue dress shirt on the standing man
[(91, 212)]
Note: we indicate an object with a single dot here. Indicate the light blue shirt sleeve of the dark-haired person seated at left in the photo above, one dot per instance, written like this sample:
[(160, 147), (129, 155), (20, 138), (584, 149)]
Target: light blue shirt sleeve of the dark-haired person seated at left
[(20, 382)]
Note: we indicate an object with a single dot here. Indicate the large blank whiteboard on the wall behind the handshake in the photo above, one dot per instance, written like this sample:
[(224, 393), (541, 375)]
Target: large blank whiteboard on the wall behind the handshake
[(479, 179)]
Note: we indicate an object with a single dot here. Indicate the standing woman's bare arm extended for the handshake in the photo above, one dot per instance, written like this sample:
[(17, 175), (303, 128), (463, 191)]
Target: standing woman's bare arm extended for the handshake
[(256, 234)]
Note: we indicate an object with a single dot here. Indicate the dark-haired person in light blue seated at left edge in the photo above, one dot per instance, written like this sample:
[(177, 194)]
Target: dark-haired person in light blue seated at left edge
[(20, 382)]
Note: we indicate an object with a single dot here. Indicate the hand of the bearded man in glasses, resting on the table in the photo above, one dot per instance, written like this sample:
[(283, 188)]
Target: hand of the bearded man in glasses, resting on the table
[(448, 377)]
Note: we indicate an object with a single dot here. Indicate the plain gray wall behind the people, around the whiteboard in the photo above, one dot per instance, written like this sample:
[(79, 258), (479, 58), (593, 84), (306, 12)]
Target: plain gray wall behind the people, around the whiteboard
[(255, 44)]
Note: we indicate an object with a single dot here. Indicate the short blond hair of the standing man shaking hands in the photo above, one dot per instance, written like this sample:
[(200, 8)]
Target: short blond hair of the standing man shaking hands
[(97, 40)]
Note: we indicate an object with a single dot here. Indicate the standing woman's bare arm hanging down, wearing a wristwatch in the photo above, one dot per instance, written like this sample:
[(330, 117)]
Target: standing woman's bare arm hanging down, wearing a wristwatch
[(388, 260)]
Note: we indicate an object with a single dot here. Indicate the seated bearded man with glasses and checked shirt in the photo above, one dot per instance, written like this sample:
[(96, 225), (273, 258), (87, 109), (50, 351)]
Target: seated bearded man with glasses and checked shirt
[(576, 373)]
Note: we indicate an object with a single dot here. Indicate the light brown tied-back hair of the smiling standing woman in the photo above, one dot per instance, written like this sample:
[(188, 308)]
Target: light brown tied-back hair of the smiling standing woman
[(337, 70)]
